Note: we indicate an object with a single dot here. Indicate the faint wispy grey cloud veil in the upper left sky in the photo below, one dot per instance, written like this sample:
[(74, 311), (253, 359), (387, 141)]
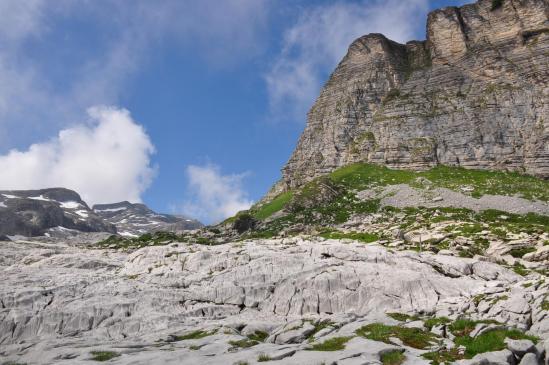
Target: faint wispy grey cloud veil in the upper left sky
[(33, 101)]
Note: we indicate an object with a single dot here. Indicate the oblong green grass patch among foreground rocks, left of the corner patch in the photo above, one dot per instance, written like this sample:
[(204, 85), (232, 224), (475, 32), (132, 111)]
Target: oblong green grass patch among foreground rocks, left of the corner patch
[(413, 337)]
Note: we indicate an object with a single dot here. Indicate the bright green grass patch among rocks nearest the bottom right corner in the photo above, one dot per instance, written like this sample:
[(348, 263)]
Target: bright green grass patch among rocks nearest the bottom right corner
[(489, 341)]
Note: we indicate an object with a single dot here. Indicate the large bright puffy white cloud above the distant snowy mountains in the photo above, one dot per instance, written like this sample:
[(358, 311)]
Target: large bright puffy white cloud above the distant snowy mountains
[(105, 160)]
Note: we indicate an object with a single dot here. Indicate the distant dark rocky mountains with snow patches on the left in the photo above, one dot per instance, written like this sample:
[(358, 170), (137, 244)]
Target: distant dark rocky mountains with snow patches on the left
[(61, 213)]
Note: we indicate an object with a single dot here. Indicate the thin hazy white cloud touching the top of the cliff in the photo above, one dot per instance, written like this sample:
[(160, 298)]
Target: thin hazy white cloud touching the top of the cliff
[(320, 38)]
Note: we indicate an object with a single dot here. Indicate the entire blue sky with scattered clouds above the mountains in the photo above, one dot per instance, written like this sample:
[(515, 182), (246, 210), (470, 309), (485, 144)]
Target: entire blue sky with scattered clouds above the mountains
[(191, 106)]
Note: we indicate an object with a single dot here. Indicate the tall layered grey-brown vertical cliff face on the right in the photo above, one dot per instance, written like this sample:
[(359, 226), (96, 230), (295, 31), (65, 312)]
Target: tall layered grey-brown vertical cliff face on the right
[(474, 94)]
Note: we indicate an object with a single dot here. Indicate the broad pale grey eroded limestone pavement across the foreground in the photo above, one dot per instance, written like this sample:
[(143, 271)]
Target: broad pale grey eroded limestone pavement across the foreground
[(59, 303)]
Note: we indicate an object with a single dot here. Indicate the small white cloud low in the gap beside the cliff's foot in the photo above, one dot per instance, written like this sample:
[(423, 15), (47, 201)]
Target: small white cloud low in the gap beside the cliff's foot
[(214, 196)]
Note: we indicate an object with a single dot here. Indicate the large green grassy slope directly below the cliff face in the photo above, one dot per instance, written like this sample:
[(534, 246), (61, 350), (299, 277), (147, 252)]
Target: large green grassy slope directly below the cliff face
[(331, 200)]
